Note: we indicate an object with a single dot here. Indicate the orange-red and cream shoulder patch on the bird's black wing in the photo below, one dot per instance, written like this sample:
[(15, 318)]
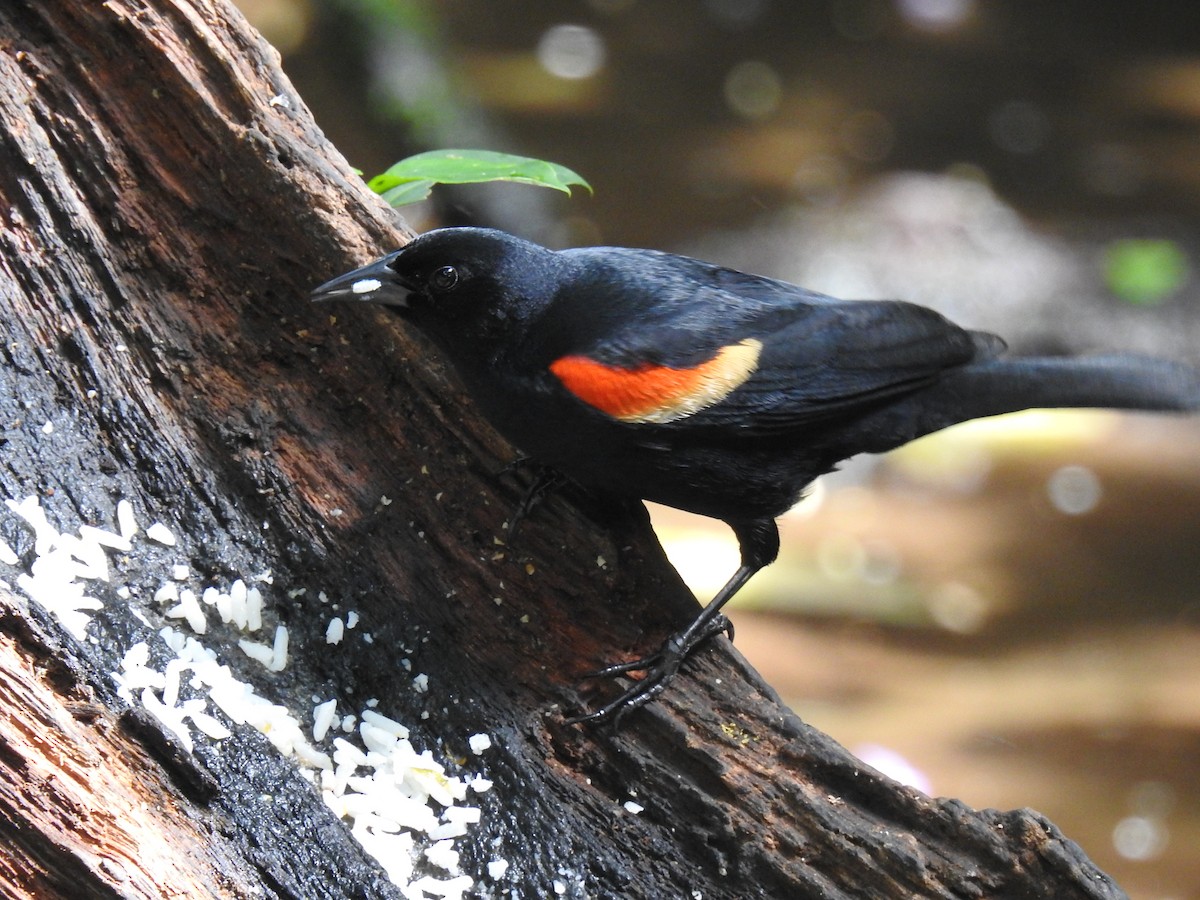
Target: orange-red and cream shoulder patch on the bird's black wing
[(658, 394)]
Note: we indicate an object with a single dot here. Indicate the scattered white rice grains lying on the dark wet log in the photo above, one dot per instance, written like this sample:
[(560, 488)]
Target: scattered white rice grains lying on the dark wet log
[(391, 794)]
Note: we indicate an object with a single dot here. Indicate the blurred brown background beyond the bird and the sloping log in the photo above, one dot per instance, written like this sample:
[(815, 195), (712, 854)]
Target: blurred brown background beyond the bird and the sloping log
[(1007, 613)]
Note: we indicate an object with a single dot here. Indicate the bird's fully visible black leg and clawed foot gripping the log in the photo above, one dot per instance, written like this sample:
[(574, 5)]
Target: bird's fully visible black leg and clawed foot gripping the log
[(759, 541)]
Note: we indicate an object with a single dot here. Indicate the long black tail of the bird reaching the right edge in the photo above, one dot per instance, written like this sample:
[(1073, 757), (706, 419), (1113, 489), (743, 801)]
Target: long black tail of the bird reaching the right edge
[(994, 387)]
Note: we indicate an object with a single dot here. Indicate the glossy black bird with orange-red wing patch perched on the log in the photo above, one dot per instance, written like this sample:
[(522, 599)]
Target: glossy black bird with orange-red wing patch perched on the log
[(665, 379)]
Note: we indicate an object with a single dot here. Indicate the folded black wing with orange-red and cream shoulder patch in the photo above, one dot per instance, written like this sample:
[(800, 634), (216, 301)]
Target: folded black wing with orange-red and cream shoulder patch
[(715, 349)]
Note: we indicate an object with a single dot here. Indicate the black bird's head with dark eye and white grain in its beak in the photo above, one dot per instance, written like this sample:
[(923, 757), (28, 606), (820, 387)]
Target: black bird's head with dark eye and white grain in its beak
[(469, 289)]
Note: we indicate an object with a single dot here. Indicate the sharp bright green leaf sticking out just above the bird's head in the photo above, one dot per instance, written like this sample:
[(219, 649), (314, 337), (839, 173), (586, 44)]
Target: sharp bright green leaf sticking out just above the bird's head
[(463, 167)]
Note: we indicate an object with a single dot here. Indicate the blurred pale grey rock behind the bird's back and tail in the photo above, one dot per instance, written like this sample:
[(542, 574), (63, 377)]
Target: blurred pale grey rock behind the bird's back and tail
[(950, 243)]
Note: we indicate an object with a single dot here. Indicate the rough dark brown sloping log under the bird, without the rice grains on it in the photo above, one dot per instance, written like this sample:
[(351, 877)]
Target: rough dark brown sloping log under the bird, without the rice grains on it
[(167, 202)]
